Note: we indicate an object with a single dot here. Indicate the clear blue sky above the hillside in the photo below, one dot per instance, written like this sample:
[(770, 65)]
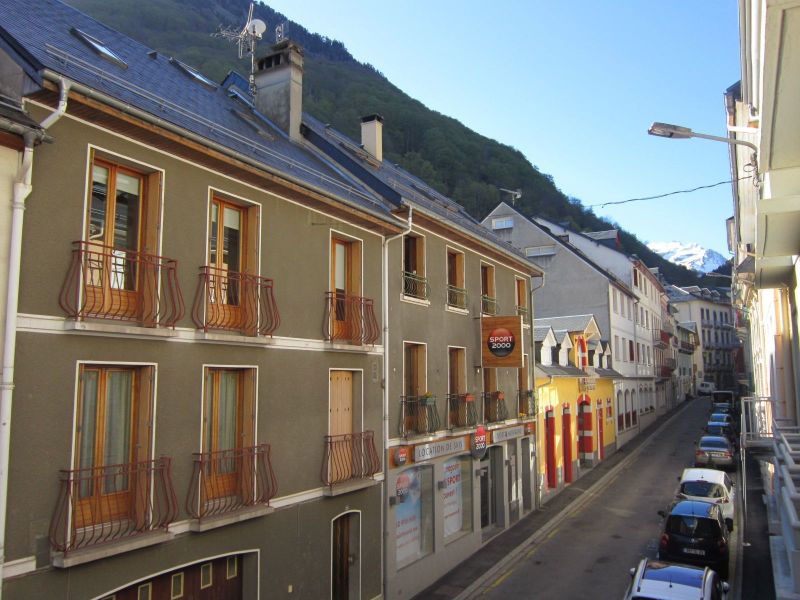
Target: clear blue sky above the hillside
[(574, 85)]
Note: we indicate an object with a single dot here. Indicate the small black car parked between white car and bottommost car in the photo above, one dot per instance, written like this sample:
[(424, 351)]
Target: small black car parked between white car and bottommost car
[(695, 533)]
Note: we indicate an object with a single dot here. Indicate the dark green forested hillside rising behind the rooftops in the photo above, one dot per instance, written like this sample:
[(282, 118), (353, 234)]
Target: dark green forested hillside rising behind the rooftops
[(460, 163)]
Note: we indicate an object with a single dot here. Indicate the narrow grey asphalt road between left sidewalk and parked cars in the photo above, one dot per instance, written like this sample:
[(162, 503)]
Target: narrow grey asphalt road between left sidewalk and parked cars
[(590, 553)]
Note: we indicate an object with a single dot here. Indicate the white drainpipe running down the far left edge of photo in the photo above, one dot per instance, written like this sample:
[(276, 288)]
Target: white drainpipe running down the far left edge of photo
[(22, 189)]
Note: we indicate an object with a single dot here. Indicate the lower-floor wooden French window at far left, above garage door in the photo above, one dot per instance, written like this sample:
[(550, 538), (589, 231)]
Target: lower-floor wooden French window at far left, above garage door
[(114, 404)]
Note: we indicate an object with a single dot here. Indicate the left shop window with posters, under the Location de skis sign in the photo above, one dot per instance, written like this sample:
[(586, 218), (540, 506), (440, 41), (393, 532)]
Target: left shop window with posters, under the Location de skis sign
[(413, 515)]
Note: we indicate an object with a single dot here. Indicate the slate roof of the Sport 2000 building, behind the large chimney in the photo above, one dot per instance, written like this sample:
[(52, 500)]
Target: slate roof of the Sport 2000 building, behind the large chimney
[(397, 184)]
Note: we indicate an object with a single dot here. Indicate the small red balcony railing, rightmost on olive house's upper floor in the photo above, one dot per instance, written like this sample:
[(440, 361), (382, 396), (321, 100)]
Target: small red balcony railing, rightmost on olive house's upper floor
[(350, 318)]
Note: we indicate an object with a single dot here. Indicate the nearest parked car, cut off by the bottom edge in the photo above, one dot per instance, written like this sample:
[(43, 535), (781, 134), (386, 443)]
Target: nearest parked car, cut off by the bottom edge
[(656, 580)]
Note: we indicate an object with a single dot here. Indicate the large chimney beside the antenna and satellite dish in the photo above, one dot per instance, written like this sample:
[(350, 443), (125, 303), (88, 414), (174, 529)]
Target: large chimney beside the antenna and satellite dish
[(279, 87)]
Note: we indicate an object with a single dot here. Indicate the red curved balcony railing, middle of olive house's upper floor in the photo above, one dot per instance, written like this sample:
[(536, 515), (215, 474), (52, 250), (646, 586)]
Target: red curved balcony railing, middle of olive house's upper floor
[(233, 301)]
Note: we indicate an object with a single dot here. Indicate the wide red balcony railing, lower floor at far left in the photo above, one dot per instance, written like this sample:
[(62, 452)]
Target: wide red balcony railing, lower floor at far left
[(105, 504)]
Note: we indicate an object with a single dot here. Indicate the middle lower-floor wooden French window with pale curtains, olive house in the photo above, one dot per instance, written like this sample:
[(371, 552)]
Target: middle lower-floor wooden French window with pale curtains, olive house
[(228, 418)]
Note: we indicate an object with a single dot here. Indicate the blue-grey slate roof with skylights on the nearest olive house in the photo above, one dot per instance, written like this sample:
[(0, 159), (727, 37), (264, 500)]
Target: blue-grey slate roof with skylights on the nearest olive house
[(41, 34)]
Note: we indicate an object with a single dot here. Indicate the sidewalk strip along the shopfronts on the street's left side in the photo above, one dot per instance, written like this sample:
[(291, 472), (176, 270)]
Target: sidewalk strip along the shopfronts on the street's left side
[(507, 543)]
